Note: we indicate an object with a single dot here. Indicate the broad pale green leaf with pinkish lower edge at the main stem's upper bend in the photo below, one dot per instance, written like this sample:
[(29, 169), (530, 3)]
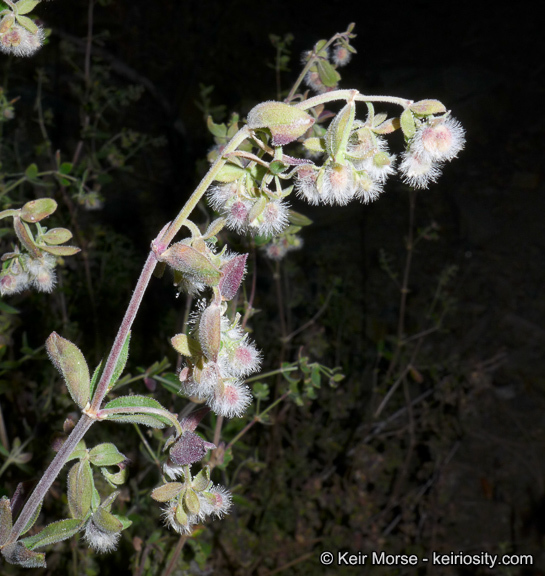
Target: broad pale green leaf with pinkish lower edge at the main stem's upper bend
[(285, 122)]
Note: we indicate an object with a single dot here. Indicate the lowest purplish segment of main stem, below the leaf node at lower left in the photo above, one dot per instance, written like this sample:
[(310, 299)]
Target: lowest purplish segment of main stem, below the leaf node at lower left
[(49, 476)]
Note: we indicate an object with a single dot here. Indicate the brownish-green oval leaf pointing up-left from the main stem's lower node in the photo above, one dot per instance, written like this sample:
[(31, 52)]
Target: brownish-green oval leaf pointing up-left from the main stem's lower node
[(69, 361)]
